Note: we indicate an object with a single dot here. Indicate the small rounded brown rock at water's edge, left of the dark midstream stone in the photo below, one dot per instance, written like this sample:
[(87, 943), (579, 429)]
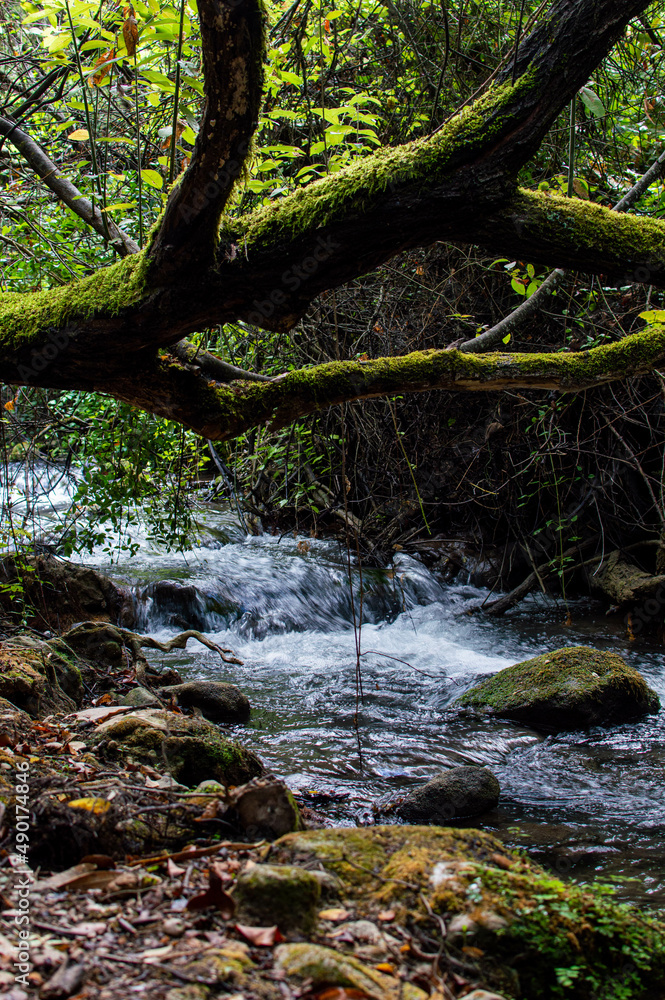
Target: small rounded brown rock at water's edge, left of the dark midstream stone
[(265, 807)]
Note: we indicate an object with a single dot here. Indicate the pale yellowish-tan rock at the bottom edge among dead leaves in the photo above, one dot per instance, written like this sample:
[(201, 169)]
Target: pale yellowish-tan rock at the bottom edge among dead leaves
[(325, 967)]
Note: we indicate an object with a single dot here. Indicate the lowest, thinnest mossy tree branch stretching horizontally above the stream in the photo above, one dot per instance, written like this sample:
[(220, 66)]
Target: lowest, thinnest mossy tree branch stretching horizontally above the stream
[(221, 412)]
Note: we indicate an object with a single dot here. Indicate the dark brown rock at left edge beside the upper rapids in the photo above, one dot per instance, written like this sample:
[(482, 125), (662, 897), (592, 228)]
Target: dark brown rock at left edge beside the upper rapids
[(62, 592)]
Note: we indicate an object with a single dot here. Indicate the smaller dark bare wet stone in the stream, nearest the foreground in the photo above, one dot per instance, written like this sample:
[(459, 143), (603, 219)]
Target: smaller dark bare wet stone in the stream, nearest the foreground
[(454, 794)]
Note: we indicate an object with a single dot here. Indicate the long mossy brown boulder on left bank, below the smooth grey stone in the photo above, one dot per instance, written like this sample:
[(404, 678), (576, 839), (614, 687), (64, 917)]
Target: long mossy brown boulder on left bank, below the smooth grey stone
[(192, 749)]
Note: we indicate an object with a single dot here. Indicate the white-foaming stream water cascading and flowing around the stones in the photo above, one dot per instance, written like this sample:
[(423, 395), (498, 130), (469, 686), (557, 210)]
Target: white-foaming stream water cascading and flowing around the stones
[(587, 803)]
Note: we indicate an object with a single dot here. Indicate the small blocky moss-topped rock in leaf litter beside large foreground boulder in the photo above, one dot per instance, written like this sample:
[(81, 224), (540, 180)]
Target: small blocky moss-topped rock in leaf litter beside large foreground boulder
[(278, 894)]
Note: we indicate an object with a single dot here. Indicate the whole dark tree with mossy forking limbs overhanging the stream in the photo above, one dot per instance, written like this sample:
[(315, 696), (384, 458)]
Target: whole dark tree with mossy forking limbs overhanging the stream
[(104, 332)]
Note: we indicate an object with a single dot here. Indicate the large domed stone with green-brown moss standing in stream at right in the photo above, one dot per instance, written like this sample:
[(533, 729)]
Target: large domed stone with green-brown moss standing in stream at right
[(570, 688)]
